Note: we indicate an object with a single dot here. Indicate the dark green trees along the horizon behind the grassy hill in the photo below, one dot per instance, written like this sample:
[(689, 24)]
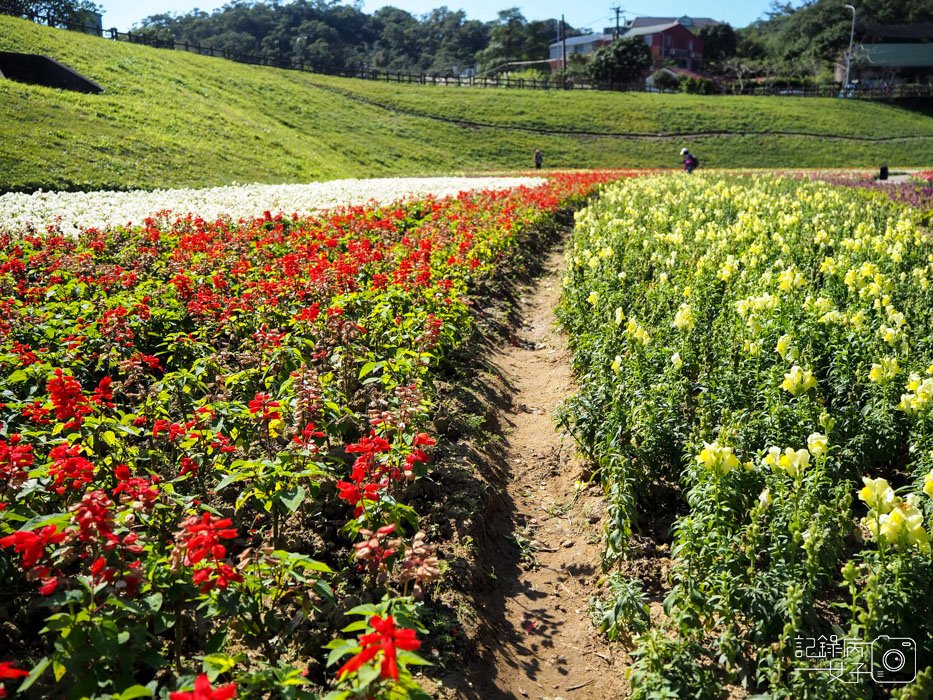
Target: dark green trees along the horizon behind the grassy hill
[(801, 41)]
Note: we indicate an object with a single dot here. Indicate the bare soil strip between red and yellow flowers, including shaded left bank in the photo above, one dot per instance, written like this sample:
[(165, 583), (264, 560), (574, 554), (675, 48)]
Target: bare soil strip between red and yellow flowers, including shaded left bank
[(535, 562)]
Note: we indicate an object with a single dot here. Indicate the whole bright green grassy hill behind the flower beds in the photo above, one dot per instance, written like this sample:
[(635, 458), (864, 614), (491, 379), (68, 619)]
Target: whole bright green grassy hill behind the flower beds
[(171, 119)]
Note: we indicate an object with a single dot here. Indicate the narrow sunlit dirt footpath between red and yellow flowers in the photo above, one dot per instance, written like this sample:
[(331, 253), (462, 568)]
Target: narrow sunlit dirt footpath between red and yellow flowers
[(543, 533)]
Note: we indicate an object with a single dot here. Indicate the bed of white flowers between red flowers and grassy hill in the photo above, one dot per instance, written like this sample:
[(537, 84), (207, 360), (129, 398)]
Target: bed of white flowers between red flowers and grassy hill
[(75, 211)]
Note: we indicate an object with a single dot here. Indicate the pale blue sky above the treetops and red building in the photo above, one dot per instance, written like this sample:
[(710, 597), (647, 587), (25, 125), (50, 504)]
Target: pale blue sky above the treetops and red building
[(581, 13)]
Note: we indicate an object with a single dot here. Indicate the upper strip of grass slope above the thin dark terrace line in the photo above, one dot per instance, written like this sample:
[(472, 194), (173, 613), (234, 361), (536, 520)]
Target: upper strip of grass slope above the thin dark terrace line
[(645, 113)]
